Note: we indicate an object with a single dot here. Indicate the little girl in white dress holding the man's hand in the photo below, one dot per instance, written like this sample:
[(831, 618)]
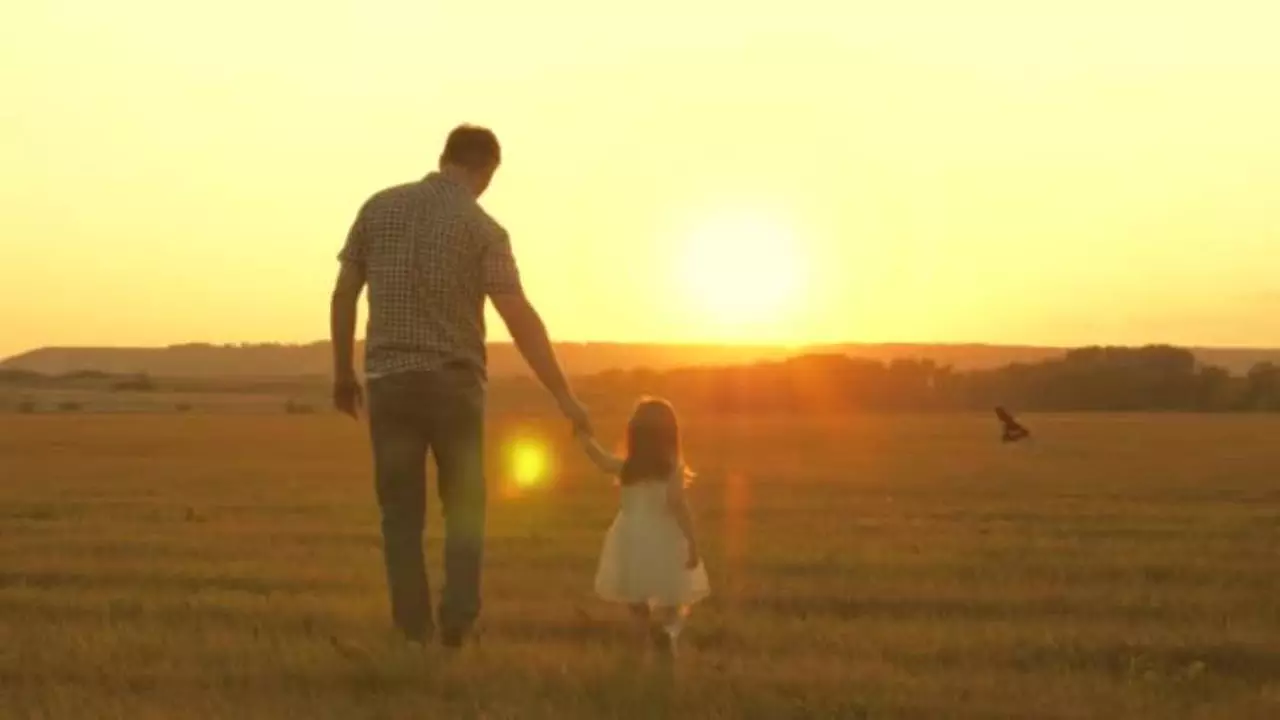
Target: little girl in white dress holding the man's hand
[(651, 559)]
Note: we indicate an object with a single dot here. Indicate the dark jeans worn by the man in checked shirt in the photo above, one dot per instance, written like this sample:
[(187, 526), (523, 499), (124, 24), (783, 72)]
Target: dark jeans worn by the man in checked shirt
[(410, 416)]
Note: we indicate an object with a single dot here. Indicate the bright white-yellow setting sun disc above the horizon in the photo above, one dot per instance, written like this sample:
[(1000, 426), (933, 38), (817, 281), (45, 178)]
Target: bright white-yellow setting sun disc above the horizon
[(743, 270)]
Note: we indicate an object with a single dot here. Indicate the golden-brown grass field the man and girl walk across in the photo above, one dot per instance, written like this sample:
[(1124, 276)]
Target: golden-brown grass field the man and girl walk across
[(195, 567)]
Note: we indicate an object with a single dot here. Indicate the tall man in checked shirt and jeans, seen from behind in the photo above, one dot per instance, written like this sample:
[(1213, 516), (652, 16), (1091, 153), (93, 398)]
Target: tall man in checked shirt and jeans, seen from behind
[(431, 256)]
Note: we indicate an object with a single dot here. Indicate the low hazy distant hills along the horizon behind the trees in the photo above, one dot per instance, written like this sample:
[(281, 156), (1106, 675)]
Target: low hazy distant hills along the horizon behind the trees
[(580, 359)]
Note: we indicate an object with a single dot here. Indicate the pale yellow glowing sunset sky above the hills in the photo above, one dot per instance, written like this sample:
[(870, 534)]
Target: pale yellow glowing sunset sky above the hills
[(1000, 171)]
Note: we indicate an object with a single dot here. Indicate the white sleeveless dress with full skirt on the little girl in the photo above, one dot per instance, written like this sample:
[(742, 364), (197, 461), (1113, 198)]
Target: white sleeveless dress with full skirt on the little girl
[(646, 553)]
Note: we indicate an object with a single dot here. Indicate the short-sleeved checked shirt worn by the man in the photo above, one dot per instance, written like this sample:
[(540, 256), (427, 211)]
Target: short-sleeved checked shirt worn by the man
[(431, 256)]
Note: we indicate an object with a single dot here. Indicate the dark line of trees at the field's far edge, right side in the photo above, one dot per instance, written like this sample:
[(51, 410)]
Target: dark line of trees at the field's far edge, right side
[(1153, 379)]
